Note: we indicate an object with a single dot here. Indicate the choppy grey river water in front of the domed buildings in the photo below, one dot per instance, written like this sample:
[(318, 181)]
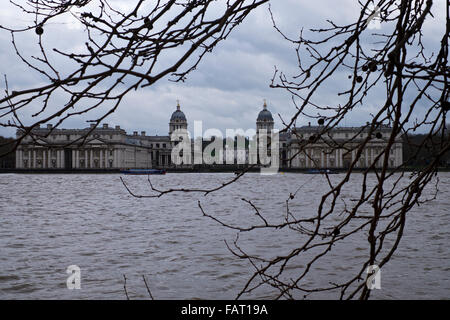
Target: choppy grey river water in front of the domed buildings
[(48, 222)]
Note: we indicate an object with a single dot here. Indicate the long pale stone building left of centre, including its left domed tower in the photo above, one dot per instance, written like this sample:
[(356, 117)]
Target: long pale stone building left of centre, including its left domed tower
[(96, 148)]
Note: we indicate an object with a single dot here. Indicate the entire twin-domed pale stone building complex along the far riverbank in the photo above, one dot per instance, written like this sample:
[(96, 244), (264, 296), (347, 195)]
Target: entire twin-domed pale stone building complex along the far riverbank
[(112, 148)]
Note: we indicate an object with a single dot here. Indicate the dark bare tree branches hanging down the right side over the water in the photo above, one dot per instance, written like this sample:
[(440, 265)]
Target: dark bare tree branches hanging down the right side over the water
[(412, 81)]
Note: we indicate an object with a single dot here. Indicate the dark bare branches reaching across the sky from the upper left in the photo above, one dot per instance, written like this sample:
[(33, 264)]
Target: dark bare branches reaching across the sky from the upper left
[(123, 51)]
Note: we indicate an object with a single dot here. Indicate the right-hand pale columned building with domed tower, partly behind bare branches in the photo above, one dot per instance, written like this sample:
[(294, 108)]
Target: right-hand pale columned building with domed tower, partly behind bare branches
[(316, 147)]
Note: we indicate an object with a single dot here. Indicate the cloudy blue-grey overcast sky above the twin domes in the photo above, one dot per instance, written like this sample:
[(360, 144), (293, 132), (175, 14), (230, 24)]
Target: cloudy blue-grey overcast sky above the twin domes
[(228, 87)]
